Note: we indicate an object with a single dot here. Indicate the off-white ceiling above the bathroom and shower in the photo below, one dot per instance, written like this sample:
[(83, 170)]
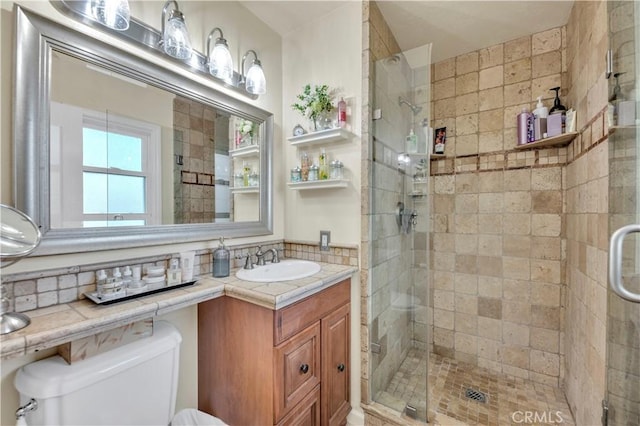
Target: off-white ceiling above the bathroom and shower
[(454, 27)]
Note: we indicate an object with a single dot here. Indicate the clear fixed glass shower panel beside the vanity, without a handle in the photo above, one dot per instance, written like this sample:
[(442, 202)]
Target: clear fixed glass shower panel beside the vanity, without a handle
[(398, 318)]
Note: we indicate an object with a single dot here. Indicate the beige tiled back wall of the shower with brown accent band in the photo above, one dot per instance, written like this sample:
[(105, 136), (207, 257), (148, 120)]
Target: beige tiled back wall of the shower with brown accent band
[(497, 213)]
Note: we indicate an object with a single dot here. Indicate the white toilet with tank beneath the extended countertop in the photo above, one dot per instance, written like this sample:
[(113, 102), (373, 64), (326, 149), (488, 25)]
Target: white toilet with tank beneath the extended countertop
[(134, 384)]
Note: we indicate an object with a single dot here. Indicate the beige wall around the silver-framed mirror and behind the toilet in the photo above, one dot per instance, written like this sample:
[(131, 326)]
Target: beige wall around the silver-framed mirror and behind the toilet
[(243, 31)]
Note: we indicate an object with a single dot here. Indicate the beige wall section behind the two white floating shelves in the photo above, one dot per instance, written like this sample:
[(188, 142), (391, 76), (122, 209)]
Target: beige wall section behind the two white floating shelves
[(326, 50)]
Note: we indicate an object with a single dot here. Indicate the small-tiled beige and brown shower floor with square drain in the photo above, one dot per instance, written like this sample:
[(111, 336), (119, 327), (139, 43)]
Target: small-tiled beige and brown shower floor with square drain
[(509, 400)]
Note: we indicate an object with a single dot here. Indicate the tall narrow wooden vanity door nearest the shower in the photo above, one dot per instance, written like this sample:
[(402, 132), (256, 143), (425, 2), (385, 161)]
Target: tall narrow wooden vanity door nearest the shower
[(335, 367)]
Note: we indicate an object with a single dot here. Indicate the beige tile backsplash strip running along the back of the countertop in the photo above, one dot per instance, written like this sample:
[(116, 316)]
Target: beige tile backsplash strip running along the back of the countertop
[(32, 290)]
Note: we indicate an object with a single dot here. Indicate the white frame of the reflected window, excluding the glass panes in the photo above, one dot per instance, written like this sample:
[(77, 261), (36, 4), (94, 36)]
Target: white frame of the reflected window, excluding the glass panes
[(67, 123)]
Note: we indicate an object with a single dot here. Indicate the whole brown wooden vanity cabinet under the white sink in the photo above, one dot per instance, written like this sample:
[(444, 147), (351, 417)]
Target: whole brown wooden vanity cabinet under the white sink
[(257, 366)]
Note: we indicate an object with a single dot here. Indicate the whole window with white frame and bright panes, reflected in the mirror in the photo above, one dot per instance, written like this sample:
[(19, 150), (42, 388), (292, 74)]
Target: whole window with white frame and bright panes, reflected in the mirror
[(105, 169)]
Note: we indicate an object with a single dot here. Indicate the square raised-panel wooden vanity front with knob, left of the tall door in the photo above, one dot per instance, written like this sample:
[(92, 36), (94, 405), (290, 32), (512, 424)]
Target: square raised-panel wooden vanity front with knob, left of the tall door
[(297, 369)]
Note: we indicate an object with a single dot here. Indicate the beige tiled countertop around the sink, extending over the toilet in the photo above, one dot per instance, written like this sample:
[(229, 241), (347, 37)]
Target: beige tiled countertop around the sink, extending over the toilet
[(55, 325)]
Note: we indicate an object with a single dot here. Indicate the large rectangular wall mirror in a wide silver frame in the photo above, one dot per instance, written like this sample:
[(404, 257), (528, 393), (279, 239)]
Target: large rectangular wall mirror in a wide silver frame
[(114, 151)]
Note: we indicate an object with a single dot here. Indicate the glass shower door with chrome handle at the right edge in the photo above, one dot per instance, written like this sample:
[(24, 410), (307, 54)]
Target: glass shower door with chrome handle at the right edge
[(622, 403)]
